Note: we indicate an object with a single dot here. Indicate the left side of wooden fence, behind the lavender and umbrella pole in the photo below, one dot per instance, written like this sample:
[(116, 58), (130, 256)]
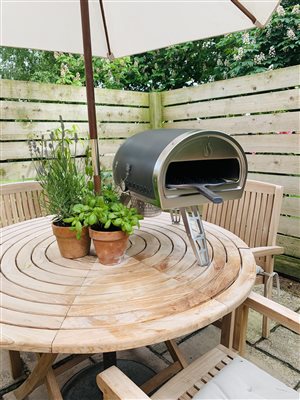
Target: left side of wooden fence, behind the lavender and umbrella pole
[(30, 110)]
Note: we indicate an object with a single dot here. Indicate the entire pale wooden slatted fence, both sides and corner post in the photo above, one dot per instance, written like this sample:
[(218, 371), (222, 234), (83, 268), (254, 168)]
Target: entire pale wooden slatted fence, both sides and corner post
[(255, 109)]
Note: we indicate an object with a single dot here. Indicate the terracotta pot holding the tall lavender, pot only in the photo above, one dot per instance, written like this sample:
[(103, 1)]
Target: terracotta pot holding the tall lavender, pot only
[(68, 245)]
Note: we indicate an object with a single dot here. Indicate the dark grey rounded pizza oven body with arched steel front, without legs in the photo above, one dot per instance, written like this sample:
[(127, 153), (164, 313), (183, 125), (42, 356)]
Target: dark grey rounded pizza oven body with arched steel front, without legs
[(175, 168)]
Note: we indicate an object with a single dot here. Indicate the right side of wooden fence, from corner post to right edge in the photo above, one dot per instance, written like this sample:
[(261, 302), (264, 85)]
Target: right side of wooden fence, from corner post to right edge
[(262, 112)]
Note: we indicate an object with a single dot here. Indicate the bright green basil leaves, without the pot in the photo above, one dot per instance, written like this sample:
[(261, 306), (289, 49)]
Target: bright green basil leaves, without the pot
[(103, 213)]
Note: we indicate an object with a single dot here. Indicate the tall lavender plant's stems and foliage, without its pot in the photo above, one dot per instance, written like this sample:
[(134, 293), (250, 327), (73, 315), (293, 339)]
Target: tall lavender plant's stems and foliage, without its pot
[(65, 179)]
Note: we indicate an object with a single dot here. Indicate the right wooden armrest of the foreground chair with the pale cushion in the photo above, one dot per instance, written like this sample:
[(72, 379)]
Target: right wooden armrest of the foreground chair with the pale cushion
[(273, 310)]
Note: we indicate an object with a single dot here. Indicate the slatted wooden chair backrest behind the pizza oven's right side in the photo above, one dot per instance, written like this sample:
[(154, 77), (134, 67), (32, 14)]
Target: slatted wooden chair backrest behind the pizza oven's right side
[(254, 217)]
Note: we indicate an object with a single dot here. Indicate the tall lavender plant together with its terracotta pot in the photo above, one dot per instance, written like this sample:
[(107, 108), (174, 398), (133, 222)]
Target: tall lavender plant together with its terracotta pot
[(65, 181)]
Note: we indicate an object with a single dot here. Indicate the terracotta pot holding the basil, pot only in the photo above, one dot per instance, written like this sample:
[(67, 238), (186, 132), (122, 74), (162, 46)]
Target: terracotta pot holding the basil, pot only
[(110, 246)]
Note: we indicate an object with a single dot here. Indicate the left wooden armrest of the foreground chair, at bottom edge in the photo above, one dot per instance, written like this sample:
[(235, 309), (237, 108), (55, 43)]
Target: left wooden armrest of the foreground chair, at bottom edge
[(115, 385)]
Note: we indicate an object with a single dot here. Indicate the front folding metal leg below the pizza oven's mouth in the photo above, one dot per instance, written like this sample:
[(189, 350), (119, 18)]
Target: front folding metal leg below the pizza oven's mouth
[(192, 220)]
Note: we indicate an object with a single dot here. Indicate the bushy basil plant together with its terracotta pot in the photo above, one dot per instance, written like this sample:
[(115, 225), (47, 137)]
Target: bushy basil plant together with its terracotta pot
[(110, 223)]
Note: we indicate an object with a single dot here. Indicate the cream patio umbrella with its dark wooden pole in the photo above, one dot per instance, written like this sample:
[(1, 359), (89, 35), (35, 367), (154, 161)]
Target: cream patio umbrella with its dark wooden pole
[(115, 28)]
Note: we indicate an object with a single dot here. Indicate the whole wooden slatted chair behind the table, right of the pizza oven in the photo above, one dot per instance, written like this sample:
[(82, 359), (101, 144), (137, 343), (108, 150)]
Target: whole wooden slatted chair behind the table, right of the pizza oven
[(254, 218)]
